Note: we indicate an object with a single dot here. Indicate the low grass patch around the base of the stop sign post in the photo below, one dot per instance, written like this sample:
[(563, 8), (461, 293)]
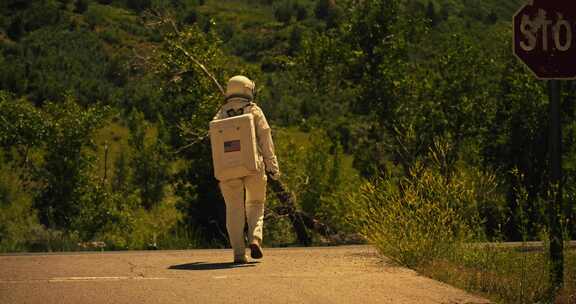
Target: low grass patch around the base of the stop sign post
[(504, 275)]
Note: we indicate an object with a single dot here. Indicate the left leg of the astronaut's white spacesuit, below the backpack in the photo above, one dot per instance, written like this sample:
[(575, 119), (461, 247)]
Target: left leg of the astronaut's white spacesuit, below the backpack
[(233, 192)]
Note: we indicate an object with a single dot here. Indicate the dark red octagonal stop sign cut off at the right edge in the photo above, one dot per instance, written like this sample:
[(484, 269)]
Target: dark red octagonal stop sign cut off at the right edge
[(545, 38)]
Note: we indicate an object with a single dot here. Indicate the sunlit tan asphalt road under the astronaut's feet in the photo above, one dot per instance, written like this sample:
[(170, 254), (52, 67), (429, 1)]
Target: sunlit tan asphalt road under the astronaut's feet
[(350, 274)]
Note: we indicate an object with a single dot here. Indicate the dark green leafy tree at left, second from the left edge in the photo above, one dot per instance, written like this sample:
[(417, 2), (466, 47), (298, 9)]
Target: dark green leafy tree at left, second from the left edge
[(65, 173)]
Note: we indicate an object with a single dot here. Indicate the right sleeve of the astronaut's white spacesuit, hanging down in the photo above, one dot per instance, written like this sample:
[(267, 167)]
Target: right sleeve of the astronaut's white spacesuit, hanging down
[(264, 135)]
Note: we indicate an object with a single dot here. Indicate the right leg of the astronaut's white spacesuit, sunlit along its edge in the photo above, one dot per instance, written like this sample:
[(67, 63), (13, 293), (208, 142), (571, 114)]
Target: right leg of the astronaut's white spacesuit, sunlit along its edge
[(255, 199)]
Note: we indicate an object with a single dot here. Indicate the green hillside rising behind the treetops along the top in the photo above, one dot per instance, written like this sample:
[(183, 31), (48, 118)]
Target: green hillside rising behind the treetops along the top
[(259, 33)]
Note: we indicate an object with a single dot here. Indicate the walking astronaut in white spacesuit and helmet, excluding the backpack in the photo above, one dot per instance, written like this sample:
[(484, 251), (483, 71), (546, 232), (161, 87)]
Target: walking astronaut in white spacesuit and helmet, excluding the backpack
[(245, 196)]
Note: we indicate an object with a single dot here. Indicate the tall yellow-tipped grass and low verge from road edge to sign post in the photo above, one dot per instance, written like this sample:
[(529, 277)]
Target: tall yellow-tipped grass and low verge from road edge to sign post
[(433, 220)]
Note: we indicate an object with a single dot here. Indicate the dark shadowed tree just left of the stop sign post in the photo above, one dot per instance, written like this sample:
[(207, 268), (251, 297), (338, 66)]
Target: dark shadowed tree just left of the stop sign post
[(516, 141)]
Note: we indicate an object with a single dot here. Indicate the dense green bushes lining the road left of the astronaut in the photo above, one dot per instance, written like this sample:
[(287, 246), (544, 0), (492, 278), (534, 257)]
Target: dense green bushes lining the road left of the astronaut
[(50, 199)]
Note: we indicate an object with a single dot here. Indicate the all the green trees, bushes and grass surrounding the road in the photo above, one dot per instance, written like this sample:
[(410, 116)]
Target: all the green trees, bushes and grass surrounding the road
[(408, 121)]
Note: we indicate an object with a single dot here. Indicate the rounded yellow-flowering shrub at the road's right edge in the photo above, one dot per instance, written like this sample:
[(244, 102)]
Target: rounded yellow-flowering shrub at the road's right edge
[(427, 214)]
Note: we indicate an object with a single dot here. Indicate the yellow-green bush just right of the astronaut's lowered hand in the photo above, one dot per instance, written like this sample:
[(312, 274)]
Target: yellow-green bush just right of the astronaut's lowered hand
[(320, 174)]
